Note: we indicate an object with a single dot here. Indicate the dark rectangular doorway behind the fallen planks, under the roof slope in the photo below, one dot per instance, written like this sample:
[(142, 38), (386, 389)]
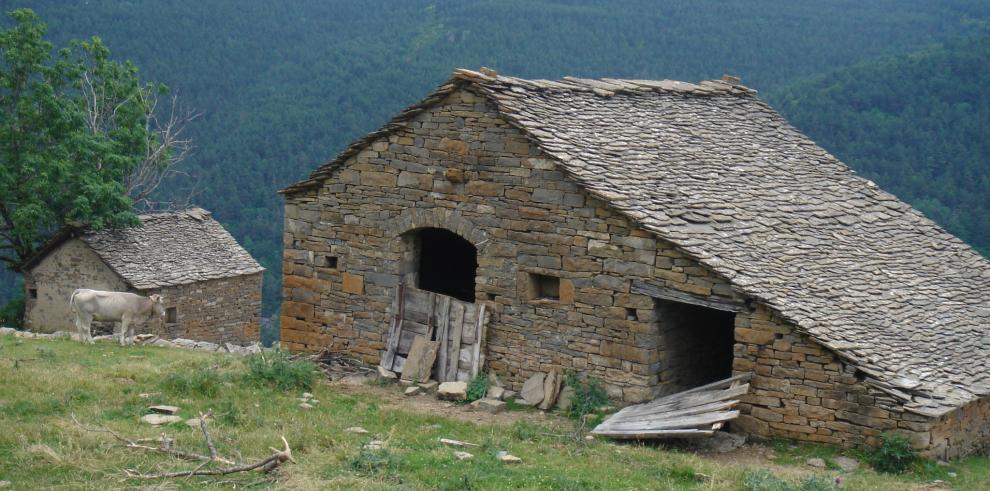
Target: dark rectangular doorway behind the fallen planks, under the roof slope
[(698, 342)]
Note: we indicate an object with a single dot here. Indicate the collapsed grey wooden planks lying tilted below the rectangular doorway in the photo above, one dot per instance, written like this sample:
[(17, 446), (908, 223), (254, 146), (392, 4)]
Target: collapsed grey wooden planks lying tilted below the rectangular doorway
[(697, 412)]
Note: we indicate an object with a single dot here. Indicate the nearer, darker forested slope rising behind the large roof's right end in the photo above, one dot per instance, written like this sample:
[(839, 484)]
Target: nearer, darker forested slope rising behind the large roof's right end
[(917, 124)]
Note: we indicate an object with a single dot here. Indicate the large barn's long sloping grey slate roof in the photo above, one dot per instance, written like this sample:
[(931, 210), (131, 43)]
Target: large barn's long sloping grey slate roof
[(714, 170)]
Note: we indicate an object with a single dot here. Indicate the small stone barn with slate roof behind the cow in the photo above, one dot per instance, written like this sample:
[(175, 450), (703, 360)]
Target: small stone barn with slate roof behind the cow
[(210, 284)]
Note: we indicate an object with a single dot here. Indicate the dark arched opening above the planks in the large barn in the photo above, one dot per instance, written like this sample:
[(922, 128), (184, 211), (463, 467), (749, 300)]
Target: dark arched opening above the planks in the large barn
[(447, 263)]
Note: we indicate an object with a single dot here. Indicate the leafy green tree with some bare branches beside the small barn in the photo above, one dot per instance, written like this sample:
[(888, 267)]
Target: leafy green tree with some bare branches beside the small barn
[(81, 141)]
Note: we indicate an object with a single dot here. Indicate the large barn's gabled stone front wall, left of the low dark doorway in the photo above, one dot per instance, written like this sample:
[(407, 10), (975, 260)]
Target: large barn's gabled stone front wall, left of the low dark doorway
[(461, 167)]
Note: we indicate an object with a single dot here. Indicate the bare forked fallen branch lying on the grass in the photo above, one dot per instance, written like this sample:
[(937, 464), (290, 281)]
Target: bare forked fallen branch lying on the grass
[(268, 464)]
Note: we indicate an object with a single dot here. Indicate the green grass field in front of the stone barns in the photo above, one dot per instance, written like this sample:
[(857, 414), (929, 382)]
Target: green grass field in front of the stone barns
[(44, 383)]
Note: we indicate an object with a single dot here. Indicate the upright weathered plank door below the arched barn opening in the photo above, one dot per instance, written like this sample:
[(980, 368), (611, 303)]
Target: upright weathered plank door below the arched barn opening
[(457, 327)]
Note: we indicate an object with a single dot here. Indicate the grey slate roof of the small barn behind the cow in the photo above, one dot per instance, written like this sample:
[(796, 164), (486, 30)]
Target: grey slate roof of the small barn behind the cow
[(172, 249)]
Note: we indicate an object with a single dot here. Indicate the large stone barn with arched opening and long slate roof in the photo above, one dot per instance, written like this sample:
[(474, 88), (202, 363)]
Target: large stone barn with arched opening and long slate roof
[(656, 235)]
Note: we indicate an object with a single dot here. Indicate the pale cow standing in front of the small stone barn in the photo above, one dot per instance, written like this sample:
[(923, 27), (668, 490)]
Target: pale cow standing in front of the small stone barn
[(127, 308)]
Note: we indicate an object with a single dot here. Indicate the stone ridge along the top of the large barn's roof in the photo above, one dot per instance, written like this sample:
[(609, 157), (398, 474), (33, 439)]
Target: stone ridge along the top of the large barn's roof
[(607, 87)]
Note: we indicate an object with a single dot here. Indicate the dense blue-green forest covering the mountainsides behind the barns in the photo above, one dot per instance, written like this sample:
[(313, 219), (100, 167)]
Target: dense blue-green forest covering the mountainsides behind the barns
[(283, 86)]
